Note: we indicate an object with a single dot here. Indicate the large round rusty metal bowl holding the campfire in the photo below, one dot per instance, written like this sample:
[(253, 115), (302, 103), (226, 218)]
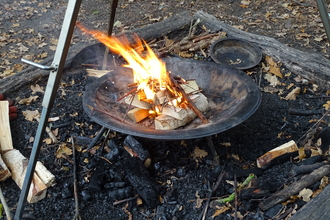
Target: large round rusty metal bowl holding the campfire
[(232, 94)]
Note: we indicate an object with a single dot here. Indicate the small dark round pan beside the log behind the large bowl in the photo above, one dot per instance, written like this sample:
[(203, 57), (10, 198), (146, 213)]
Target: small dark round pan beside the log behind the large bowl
[(236, 53)]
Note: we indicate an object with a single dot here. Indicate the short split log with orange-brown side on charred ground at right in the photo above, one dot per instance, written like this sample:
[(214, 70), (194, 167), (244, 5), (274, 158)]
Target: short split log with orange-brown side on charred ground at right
[(267, 158)]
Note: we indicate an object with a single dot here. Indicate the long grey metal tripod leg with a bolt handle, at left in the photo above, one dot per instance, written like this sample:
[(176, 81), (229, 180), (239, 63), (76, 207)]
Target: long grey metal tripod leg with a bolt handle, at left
[(50, 93)]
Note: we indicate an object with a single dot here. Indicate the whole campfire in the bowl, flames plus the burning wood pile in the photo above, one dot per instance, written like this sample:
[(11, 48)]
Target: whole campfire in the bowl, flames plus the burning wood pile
[(171, 101)]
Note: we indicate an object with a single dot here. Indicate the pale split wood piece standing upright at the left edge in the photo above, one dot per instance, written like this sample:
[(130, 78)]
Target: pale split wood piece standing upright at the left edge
[(5, 134)]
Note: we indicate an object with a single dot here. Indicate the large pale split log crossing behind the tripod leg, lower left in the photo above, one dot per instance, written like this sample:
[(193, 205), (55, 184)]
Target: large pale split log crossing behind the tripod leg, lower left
[(17, 164)]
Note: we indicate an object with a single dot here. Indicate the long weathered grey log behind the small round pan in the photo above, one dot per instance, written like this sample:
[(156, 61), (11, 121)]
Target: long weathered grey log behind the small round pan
[(311, 66)]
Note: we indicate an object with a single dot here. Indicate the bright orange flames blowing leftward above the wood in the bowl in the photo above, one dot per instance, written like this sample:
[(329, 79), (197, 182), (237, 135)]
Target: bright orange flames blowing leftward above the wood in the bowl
[(149, 72)]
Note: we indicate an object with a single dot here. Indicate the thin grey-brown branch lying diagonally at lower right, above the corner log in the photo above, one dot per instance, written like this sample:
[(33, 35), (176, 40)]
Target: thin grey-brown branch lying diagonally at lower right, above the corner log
[(295, 188)]
